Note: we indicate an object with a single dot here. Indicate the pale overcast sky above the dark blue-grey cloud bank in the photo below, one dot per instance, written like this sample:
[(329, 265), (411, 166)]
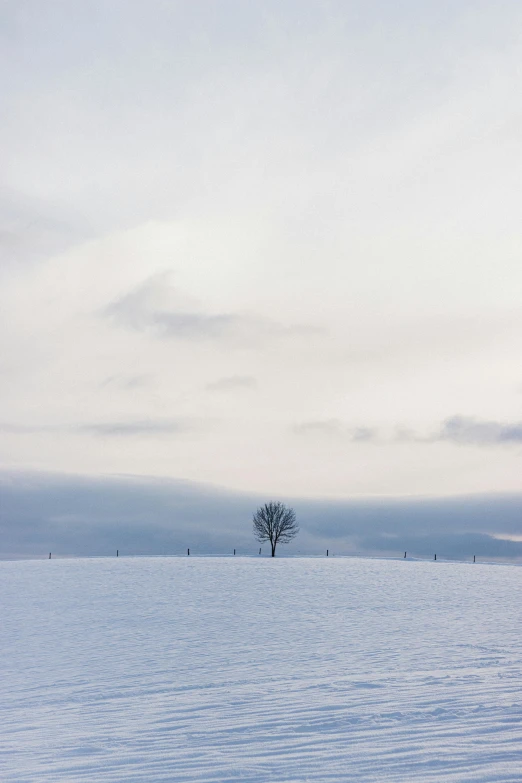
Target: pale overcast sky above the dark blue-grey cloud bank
[(274, 246)]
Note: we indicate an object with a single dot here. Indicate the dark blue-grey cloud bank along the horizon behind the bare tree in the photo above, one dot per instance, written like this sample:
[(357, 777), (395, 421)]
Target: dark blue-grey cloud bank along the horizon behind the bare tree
[(87, 516)]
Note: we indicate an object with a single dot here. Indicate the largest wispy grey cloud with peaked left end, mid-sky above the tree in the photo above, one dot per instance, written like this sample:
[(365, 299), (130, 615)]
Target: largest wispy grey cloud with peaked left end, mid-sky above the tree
[(158, 308)]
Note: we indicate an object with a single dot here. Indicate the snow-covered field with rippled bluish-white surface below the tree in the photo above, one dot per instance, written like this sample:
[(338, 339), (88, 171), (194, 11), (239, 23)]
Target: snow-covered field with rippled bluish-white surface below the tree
[(216, 669)]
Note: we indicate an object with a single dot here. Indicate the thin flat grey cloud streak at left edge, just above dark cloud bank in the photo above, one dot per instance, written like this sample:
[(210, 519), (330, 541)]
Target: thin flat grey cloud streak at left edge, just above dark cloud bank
[(108, 429)]
